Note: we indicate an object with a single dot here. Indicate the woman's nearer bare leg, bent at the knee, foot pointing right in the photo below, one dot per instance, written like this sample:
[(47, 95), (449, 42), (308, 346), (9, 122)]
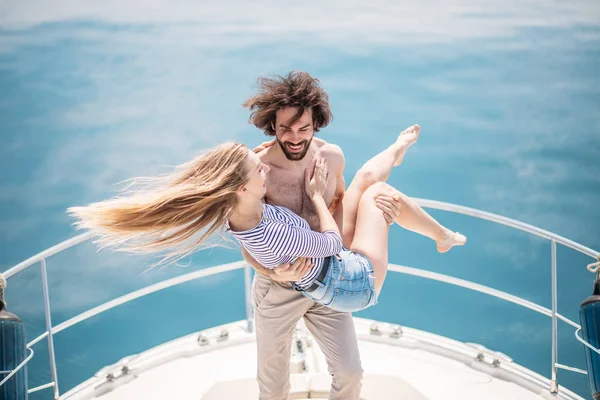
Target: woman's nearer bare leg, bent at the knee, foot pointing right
[(371, 235)]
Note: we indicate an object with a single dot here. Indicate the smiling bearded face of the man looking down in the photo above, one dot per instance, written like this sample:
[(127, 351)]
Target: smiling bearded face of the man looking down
[(294, 139)]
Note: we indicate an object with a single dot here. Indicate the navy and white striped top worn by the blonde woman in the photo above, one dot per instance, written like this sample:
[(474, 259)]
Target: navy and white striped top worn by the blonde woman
[(282, 236)]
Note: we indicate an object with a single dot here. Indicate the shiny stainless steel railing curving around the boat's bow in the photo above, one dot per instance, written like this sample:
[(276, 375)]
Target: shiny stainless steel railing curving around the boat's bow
[(553, 313)]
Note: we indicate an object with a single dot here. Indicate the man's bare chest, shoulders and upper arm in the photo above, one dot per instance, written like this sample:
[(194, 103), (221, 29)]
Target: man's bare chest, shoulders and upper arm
[(285, 183)]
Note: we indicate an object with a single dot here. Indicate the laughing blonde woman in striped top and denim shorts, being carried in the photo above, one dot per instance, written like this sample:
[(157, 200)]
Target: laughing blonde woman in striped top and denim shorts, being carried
[(225, 188)]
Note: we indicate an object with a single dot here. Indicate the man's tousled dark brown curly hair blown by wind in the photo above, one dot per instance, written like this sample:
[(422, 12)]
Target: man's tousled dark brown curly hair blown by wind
[(296, 89)]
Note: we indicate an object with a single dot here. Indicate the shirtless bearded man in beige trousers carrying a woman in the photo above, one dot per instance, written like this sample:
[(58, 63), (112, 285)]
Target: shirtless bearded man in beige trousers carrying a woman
[(293, 108)]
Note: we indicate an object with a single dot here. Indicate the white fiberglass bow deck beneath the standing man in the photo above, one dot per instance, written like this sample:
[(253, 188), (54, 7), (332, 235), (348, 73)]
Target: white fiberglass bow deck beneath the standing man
[(399, 363)]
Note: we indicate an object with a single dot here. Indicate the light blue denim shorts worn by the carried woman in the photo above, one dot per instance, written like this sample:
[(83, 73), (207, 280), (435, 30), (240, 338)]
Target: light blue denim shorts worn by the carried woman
[(349, 284)]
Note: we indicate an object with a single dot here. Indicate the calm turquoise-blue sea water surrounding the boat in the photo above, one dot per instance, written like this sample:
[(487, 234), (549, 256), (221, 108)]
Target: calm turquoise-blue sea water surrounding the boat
[(508, 98)]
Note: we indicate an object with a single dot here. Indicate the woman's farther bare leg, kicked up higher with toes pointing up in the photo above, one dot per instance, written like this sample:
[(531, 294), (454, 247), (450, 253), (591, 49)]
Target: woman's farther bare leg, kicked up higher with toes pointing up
[(377, 169)]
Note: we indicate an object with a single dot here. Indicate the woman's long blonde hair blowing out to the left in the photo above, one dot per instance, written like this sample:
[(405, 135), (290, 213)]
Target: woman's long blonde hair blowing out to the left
[(166, 212)]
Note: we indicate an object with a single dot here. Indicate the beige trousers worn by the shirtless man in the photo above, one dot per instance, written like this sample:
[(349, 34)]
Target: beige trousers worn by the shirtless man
[(277, 309)]
